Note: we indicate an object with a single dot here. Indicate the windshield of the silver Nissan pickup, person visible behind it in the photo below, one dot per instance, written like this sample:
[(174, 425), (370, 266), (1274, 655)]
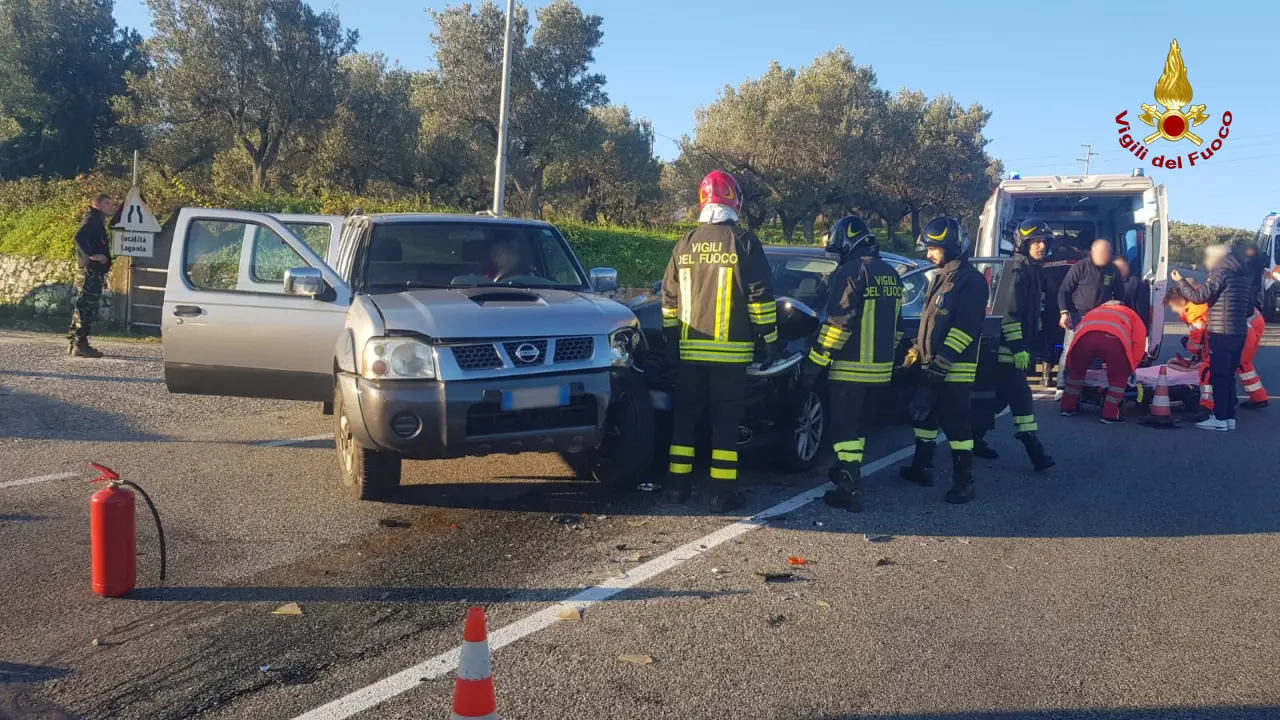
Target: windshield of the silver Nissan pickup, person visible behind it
[(460, 254)]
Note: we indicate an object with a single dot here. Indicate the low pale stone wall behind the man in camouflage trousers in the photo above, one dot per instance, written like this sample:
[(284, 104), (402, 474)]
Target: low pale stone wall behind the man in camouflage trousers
[(48, 288)]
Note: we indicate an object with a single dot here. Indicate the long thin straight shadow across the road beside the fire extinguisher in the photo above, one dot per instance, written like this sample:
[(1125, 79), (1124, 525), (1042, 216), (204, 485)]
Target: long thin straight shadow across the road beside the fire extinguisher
[(486, 596)]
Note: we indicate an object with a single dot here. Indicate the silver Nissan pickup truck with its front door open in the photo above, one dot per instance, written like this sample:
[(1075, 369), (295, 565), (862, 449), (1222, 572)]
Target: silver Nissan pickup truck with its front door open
[(426, 336)]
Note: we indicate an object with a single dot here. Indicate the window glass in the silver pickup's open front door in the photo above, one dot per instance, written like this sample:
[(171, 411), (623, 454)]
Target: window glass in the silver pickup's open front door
[(235, 256)]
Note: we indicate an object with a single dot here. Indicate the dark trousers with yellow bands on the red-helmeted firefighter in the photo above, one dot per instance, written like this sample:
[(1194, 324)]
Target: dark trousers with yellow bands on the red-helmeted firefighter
[(717, 389)]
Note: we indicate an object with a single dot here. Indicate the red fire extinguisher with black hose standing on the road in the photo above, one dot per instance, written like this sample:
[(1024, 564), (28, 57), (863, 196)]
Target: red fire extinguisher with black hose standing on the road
[(113, 536)]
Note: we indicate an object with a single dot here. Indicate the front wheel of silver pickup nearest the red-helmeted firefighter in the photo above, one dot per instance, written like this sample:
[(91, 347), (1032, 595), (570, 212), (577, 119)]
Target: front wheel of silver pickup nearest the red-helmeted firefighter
[(627, 453)]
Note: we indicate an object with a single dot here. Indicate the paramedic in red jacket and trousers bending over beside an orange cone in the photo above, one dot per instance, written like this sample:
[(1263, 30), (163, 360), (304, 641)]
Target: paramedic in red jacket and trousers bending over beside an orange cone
[(1114, 334)]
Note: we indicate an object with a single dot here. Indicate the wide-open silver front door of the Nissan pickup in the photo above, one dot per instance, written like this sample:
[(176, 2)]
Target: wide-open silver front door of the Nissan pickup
[(230, 323)]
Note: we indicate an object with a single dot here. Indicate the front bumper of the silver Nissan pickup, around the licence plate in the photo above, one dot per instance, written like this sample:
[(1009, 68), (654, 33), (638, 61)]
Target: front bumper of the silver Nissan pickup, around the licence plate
[(431, 421)]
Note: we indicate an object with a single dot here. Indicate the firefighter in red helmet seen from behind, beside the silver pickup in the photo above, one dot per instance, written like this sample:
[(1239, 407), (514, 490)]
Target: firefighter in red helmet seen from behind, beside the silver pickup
[(717, 303)]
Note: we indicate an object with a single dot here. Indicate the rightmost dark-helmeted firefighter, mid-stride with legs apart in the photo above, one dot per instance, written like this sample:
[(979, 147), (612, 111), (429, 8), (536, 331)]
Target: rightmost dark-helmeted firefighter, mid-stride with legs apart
[(1018, 302)]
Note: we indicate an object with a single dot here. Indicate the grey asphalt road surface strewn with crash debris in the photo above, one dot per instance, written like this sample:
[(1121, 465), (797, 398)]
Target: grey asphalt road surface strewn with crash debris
[(1135, 581)]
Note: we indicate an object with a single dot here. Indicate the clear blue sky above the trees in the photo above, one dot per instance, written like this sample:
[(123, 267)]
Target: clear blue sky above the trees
[(1054, 75)]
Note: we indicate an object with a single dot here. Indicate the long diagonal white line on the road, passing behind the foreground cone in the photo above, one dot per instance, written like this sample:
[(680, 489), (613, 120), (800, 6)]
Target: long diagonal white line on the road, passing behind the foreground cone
[(447, 662)]
